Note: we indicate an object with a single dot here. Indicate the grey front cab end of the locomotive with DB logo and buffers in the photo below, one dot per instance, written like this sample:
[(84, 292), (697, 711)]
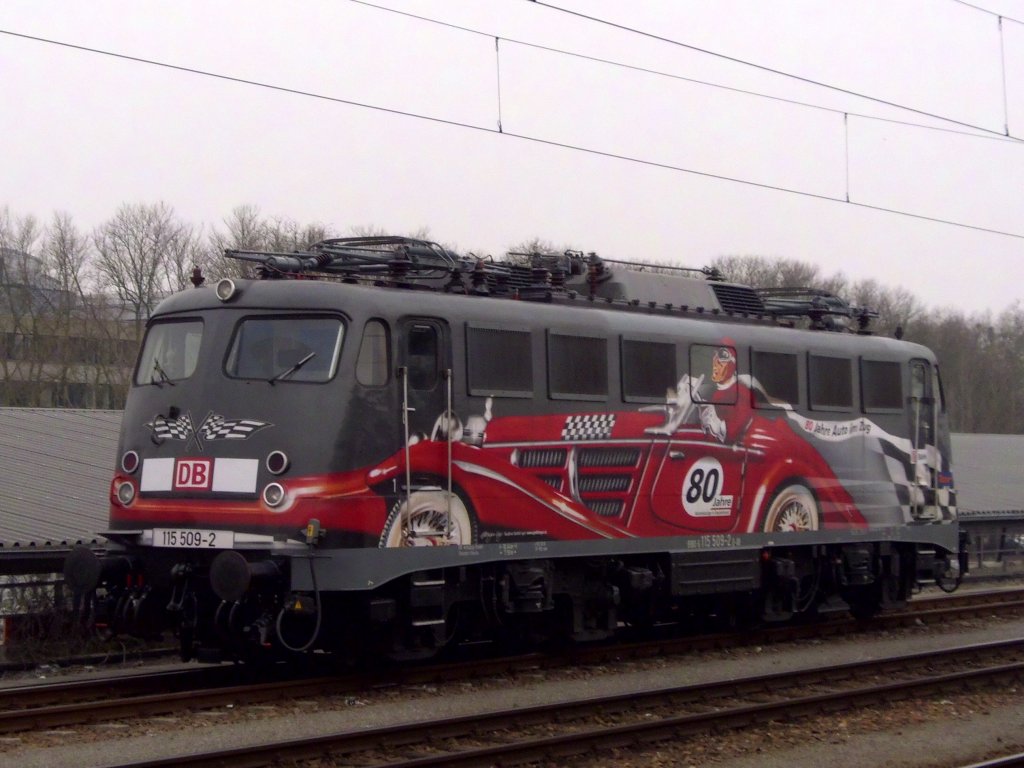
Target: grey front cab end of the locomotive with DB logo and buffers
[(241, 407)]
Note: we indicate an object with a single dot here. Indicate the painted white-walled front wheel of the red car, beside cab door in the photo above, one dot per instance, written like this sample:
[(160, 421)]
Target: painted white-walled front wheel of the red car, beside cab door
[(423, 522)]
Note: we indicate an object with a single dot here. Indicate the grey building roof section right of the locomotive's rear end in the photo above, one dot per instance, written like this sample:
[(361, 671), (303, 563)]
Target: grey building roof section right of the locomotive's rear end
[(989, 473)]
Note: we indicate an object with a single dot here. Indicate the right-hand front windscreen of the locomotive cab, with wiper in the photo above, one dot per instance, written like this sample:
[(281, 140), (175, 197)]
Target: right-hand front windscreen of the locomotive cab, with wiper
[(304, 350)]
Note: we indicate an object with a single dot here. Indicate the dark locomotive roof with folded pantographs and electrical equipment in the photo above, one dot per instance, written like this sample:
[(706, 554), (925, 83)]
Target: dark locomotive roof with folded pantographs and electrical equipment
[(402, 266)]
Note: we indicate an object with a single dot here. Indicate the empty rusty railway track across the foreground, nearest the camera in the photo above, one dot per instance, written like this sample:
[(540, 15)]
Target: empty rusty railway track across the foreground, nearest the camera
[(563, 732)]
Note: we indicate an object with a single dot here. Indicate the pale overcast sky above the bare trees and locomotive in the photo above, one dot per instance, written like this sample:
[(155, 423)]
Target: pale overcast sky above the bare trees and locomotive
[(84, 134)]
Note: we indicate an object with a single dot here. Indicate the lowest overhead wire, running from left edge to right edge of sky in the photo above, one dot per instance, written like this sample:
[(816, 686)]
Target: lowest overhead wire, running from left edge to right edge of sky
[(505, 134)]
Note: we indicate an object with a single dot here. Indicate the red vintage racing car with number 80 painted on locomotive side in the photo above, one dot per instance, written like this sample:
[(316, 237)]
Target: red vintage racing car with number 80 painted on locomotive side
[(651, 473)]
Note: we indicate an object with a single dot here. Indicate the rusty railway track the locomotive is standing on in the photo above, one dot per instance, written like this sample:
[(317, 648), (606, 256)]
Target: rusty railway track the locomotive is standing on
[(40, 706)]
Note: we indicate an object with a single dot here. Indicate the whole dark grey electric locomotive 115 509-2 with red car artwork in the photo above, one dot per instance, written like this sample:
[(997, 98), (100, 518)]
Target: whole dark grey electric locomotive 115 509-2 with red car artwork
[(378, 445)]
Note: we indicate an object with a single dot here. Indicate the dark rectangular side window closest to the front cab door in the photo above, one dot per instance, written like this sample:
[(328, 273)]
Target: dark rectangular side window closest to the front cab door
[(500, 362)]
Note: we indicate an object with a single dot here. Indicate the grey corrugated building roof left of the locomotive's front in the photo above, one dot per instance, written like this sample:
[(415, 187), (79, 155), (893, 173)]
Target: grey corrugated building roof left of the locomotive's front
[(56, 466)]
